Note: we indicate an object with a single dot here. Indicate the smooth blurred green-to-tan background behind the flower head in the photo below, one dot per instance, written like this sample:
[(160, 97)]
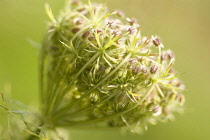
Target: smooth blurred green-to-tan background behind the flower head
[(183, 25)]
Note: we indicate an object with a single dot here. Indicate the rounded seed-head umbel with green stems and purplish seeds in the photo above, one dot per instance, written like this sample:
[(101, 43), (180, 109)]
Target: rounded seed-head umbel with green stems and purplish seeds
[(98, 70)]
